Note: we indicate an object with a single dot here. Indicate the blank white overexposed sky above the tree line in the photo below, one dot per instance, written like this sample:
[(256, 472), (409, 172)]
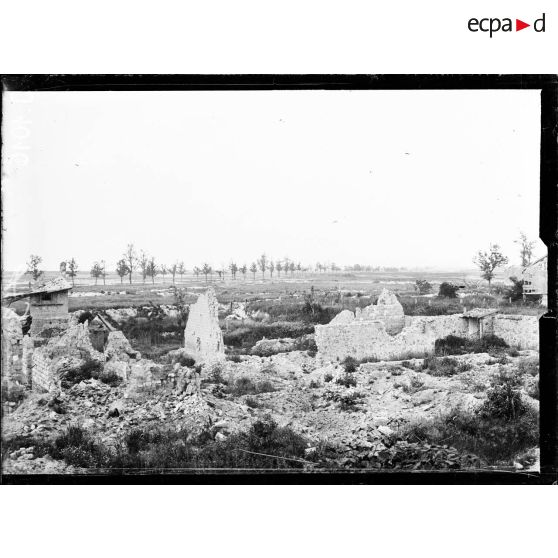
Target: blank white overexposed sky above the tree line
[(389, 178)]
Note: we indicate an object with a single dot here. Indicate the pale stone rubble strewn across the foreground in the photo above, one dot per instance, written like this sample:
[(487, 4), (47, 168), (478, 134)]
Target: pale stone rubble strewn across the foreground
[(360, 410)]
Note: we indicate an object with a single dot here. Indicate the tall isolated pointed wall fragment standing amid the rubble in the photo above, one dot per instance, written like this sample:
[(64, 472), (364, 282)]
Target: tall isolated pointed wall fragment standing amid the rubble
[(203, 338)]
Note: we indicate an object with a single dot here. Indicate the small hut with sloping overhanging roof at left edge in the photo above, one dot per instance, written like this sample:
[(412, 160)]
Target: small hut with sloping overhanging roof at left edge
[(48, 305)]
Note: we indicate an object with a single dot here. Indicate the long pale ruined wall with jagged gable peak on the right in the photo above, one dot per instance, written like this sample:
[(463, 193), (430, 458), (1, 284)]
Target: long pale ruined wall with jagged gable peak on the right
[(383, 332)]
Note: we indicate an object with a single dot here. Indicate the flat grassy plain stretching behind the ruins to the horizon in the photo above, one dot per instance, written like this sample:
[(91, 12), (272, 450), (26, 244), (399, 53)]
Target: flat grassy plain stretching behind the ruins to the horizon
[(340, 290)]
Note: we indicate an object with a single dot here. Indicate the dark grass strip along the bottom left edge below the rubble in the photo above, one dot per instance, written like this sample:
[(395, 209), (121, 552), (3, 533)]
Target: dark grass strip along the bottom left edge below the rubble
[(264, 446)]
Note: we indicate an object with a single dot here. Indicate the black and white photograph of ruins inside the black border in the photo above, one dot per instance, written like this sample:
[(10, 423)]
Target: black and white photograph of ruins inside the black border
[(208, 281)]
